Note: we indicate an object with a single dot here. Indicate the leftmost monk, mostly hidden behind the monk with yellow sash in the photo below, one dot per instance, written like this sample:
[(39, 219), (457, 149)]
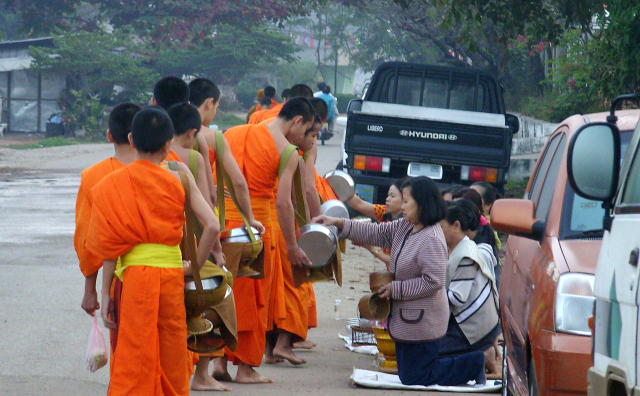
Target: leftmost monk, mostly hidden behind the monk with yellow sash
[(119, 127)]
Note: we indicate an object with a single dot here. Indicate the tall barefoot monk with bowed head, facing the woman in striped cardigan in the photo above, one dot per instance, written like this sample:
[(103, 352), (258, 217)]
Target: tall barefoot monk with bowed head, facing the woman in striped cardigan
[(257, 149)]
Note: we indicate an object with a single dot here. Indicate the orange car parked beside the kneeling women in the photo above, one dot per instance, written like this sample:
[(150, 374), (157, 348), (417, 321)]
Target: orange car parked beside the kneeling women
[(546, 289)]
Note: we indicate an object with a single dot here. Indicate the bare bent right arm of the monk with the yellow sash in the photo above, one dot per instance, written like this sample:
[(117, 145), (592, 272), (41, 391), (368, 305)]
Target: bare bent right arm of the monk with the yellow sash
[(208, 221)]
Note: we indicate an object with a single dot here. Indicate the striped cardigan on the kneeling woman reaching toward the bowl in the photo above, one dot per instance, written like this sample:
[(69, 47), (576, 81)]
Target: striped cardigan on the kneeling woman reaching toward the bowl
[(419, 304)]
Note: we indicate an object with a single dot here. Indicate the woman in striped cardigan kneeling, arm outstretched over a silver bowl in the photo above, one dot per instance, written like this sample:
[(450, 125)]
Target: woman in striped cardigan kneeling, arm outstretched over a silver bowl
[(419, 305)]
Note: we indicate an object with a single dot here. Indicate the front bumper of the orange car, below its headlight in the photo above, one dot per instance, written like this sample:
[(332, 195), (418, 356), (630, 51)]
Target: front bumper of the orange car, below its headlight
[(562, 362)]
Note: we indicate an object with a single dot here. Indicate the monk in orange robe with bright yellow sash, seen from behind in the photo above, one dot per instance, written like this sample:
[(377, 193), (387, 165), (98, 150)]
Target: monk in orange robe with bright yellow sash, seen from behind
[(138, 215)]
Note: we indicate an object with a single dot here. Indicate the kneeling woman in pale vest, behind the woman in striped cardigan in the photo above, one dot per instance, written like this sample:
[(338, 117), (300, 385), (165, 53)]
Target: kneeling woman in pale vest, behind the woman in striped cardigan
[(473, 297)]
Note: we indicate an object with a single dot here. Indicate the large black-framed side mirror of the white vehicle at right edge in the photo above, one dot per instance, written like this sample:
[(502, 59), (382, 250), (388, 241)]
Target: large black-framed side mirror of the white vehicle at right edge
[(593, 161)]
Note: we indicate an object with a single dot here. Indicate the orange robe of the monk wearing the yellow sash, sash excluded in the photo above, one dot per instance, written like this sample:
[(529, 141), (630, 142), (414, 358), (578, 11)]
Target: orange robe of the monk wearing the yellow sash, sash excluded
[(141, 204)]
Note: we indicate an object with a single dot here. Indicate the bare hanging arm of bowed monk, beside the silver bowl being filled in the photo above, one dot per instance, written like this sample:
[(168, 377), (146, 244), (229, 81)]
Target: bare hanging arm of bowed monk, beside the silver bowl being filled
[(284, 207)]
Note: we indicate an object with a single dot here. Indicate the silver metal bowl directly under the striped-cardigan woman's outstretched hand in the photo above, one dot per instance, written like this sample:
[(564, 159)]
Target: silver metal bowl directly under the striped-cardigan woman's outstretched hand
[(318, 242)]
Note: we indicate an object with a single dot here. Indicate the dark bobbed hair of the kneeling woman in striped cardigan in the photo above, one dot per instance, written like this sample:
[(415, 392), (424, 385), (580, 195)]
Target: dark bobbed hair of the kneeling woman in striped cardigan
[(431, 206)]
